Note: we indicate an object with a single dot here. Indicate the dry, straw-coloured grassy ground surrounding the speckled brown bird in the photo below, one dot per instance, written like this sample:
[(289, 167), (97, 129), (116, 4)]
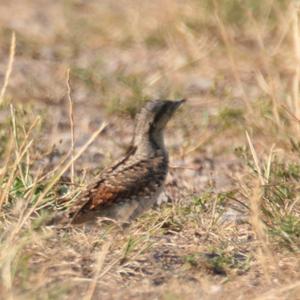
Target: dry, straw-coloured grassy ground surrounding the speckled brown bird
[(228, 226)]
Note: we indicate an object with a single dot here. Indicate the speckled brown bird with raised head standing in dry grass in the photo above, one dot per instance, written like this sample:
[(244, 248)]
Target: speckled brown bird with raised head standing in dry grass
[(133, 184)]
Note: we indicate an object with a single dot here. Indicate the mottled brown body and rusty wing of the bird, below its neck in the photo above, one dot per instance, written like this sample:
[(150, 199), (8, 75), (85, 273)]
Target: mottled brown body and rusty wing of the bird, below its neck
[(125, 190)]
